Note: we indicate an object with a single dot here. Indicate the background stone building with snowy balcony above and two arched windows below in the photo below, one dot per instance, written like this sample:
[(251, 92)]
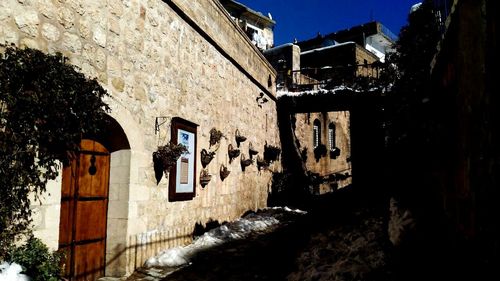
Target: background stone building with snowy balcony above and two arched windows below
[(338, 64)]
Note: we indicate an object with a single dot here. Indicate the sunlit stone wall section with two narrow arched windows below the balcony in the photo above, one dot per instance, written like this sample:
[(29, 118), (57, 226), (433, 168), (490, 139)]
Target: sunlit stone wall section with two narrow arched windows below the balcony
[(326, 165)]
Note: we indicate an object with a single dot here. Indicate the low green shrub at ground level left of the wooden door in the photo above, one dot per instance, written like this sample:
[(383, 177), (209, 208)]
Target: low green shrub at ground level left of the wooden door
[(37, 261)]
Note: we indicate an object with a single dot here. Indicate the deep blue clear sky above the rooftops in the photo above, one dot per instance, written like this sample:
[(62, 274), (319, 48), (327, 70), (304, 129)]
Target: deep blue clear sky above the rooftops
[(303, 19)]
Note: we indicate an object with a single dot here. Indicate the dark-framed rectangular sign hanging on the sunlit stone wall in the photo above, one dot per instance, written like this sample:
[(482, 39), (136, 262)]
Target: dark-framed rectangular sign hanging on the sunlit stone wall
[(182, 183)]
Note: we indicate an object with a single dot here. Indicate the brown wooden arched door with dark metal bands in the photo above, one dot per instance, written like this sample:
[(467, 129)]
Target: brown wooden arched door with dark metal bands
[(84, 204)]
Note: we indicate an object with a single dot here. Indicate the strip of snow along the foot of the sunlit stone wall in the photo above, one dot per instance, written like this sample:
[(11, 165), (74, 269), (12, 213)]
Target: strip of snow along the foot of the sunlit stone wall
[(238, 229)]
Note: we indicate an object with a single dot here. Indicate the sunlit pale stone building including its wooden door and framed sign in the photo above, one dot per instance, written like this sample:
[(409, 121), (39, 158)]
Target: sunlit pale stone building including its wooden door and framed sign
[(174, 70)]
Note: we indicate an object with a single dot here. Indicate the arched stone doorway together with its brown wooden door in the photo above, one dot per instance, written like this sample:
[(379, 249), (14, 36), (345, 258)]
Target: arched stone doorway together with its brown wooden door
[(98, 248)]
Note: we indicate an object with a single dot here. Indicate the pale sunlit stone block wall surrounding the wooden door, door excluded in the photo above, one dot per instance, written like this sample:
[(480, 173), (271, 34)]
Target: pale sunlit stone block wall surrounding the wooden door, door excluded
[(158, 59)]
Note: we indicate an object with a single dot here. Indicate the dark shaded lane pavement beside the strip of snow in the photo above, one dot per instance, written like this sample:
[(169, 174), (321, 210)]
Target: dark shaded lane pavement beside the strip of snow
[(340, 232)]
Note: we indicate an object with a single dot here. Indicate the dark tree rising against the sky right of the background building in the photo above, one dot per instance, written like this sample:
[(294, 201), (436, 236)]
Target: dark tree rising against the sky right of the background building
[(411, 74)]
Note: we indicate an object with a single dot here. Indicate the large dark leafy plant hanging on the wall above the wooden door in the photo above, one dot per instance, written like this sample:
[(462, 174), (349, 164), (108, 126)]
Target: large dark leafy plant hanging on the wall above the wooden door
[(46, 106)]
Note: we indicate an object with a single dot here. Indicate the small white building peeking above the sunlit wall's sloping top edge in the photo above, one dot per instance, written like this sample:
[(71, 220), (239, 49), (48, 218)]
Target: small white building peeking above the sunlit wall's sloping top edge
[(259, 28)]
